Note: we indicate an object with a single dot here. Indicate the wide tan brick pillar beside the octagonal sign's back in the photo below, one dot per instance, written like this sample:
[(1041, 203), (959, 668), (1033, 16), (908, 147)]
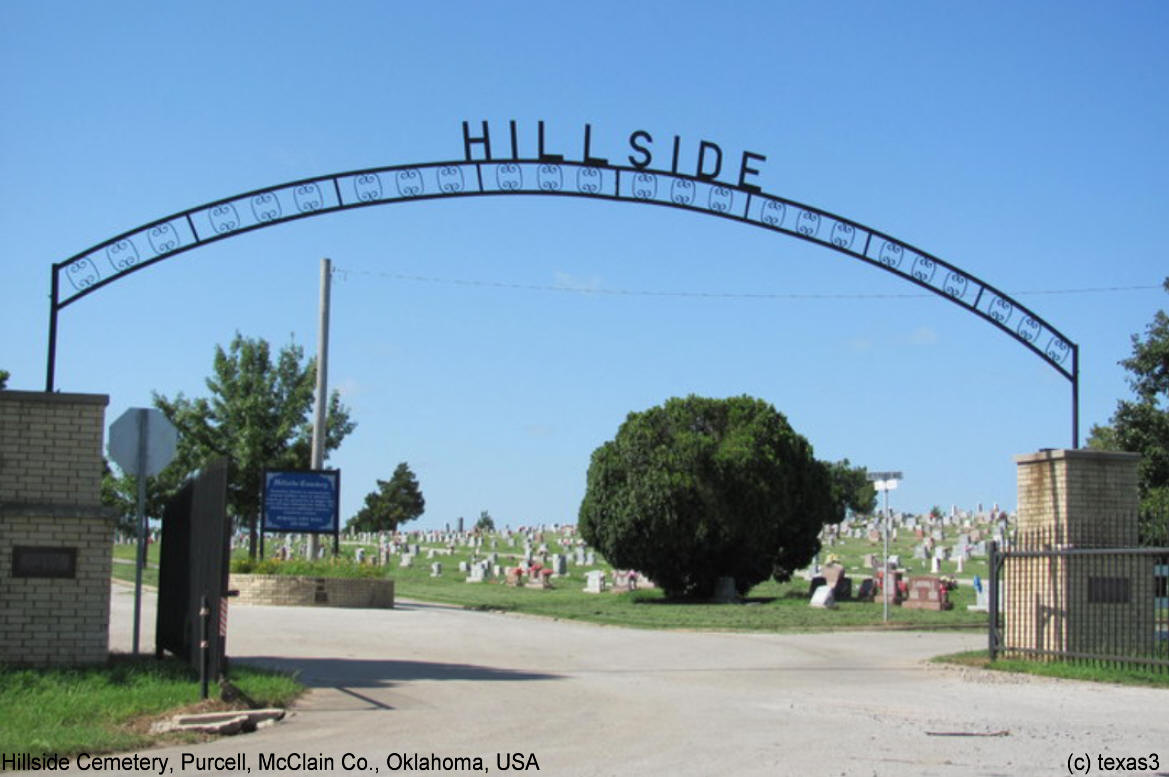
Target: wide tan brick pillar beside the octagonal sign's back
[(56, 537)]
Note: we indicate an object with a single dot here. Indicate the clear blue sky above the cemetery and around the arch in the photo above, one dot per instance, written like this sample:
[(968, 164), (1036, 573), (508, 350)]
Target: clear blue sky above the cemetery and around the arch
[(1025, 143)]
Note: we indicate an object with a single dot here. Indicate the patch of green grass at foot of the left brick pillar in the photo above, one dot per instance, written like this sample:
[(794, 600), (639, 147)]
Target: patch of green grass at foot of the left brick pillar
[(101, 709)]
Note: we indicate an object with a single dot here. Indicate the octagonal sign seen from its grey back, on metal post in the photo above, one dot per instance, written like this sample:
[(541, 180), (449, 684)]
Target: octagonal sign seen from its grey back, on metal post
[(142, 442)]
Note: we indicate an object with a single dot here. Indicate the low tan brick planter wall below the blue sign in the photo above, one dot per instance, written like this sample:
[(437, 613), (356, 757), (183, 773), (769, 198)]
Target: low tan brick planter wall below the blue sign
[(292, 591)]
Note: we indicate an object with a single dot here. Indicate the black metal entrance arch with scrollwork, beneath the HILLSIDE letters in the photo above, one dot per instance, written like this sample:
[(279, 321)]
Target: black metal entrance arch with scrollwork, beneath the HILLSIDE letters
[(140, 248)]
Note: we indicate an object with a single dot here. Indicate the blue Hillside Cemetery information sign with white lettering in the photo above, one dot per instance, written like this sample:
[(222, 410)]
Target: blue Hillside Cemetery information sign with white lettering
[(302, 501)]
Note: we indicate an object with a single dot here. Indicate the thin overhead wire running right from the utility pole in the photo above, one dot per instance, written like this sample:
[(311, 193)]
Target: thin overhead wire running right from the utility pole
[(702, 295)]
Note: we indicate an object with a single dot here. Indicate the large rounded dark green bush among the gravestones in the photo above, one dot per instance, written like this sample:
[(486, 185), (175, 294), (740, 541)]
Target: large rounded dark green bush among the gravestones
[(701, 489)]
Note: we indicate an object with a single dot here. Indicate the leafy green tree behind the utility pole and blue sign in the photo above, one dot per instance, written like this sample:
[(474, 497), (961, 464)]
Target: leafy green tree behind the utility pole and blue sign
[(259, 415)]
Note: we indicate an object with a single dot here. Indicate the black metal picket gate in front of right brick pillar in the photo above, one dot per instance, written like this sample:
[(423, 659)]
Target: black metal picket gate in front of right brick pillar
[(1084, 605)]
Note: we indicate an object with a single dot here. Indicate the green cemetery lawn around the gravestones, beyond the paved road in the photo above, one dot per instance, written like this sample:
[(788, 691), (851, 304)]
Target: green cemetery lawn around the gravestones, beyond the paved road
[(769, 607)]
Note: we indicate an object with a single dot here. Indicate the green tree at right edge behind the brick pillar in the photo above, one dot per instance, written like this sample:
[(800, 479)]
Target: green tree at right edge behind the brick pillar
[(1142, 425)]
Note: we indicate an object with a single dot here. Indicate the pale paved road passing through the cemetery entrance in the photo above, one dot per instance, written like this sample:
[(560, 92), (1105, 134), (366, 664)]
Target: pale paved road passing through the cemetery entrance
[(596, 700)]
